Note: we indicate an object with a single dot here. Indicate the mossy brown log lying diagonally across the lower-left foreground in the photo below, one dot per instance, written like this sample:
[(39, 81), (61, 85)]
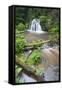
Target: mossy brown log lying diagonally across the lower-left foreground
[(29, 71)]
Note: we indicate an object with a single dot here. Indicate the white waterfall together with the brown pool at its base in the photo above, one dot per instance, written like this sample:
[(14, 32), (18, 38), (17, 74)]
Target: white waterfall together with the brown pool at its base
[(35, 31)]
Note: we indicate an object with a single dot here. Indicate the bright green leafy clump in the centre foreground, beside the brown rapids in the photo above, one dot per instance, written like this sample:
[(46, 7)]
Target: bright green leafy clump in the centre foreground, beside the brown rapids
[(34, 58)]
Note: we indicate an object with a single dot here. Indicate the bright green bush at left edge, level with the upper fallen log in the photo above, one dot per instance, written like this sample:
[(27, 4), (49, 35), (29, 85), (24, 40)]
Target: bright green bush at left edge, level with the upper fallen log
[(20, 43)]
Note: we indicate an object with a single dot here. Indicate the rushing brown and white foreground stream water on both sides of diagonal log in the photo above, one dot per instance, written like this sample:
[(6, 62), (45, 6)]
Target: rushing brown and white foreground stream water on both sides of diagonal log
[(51, 72)]
